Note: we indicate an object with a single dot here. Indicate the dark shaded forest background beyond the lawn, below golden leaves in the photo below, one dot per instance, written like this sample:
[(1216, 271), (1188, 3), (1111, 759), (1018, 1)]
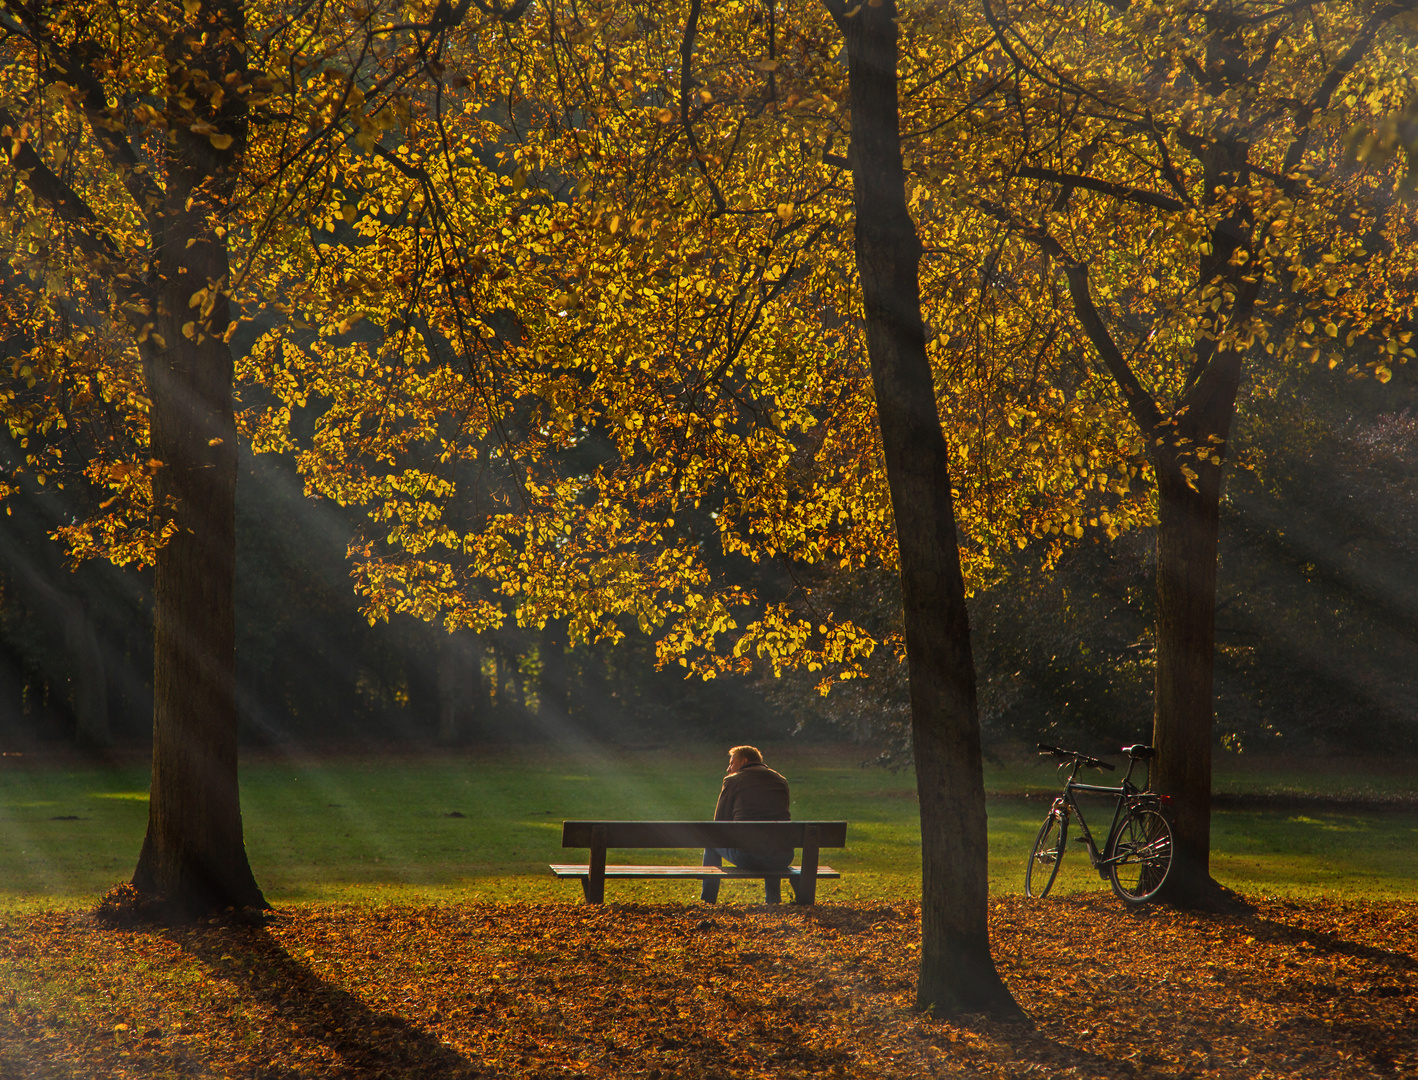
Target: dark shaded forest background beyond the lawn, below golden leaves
[(1317, 629)]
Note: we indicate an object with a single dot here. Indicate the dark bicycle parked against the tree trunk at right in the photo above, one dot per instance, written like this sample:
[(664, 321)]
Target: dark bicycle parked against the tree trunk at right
[(1138, 853)]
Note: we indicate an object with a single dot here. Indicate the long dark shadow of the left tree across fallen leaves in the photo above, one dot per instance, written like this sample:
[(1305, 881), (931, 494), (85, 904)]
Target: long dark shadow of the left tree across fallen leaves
[(307, 1007)]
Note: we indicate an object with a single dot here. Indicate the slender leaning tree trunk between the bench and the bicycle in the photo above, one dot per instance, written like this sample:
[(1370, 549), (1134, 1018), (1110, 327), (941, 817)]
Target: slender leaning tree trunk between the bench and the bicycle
[(958, 973)]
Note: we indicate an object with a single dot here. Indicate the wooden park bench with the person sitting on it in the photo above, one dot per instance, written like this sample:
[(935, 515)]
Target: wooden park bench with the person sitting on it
[(745, 836)]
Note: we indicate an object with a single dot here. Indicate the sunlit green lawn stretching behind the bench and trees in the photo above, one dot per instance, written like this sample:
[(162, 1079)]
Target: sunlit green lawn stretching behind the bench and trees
[(379, 828)]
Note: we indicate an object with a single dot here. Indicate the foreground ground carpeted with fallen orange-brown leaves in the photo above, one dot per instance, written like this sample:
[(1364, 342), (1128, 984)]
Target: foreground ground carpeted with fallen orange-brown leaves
[(1295, 989)]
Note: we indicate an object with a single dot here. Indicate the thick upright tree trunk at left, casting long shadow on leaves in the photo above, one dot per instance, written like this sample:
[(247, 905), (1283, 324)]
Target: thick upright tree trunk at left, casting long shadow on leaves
[(194, 854)]
